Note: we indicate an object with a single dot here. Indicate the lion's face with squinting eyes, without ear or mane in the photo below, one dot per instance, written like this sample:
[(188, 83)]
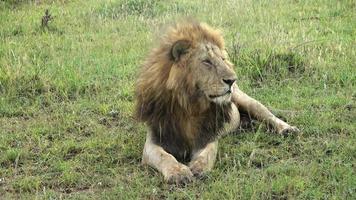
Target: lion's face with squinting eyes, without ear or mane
[(212, 72)]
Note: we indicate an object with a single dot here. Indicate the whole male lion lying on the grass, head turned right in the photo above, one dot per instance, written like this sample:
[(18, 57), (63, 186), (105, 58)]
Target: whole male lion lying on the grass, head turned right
[(187, 94)]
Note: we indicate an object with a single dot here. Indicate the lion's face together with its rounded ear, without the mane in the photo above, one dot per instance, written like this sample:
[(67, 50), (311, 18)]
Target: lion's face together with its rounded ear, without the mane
[(208, 67)]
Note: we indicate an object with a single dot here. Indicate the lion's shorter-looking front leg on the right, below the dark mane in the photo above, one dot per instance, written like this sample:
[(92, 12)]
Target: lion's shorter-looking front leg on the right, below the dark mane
[(203, 159)]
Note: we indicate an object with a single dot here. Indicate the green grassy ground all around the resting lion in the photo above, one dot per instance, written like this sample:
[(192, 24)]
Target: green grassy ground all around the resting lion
[(66, 99)]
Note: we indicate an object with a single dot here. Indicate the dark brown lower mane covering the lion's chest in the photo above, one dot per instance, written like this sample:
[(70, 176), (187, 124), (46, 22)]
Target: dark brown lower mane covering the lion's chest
[(179, 134)]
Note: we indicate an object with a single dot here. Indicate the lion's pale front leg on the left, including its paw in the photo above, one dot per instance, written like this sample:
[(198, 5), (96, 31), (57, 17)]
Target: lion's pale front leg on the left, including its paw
[(157, 157)]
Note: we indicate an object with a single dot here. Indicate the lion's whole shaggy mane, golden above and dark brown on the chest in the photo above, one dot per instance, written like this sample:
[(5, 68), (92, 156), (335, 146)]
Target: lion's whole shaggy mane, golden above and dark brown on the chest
[(179, 122)]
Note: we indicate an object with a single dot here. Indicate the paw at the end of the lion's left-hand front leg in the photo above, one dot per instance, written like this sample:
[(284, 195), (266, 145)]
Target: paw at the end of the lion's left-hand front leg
[(179, 175)]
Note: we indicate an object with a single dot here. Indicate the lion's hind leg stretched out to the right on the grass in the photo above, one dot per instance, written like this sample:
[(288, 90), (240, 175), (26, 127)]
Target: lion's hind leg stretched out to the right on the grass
[(259, 111)]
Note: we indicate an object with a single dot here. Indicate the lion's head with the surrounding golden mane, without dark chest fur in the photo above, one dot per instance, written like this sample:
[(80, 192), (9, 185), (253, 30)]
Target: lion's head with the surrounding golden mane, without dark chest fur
[(188, 71)]
